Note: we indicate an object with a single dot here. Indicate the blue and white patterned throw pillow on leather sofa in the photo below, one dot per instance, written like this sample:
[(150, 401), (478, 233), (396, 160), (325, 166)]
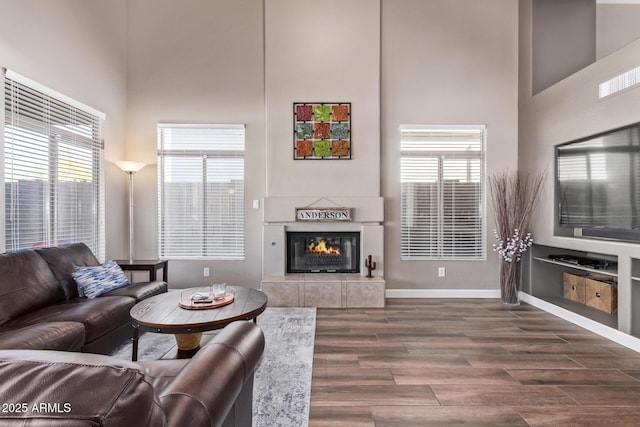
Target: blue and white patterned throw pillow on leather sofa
[(95, 281)]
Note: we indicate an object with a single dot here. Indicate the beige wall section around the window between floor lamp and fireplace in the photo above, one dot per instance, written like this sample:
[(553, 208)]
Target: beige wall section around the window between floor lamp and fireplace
[(198, 61)]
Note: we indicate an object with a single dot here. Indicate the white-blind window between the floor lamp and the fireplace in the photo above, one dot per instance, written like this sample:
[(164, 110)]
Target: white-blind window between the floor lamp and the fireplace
[(201, 191)]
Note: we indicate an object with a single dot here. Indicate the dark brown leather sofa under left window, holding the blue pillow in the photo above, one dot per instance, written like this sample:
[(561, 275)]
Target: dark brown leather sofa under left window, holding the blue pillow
[(40, 308)]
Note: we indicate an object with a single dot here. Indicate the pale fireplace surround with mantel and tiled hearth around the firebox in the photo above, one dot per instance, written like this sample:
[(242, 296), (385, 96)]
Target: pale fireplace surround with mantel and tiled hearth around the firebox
[(330, 290)]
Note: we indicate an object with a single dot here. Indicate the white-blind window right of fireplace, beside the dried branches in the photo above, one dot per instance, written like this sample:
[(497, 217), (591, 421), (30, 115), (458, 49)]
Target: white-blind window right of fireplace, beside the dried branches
[(442, 174)]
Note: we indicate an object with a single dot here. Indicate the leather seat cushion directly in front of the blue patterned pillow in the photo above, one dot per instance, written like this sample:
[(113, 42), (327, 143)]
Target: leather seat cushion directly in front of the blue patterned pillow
[(99, 315)]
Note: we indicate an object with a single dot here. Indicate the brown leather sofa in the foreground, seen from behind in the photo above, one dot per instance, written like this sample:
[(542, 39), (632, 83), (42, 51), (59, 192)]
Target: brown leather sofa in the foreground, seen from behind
[(54, 388)]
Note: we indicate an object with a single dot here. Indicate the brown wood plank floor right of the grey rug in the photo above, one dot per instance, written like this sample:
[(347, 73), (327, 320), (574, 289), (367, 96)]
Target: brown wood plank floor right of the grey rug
[(467, 362)]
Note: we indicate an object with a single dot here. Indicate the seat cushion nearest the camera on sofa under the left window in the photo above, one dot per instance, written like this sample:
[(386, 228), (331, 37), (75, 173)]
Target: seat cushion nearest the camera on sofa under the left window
[(67, 336)]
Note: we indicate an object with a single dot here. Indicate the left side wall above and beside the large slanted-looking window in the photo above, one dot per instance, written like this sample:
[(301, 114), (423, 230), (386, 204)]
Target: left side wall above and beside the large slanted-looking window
[(77, 48)]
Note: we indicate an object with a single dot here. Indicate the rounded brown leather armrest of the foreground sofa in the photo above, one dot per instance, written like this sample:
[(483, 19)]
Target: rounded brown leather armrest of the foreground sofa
[(206, 388)]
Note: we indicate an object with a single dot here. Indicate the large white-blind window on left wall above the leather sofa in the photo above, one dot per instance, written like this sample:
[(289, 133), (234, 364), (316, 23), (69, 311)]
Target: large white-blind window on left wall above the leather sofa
[(53, 168)]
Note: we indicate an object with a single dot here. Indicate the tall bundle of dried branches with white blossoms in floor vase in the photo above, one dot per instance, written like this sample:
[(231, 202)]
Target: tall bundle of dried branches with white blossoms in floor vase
[(514, 196)]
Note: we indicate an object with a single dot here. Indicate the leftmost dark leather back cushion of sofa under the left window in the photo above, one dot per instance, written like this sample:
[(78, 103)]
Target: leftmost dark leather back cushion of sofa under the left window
[(27, 284)]
